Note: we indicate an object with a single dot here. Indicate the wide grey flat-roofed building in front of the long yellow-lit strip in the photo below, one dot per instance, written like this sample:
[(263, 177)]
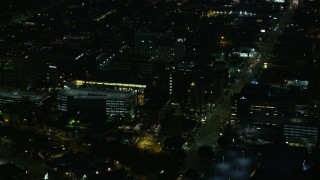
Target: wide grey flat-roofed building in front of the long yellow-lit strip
[(98, 102)]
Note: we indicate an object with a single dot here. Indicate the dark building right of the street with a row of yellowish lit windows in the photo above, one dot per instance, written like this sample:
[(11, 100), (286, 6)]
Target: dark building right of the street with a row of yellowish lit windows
[(261, 104)]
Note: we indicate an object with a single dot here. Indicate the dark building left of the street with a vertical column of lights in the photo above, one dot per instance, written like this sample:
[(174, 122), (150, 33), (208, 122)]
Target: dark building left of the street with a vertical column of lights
[(196, 85)]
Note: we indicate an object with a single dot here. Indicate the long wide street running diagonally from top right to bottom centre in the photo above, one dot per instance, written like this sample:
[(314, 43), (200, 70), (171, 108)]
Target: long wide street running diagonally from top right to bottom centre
[(209, 132)]
